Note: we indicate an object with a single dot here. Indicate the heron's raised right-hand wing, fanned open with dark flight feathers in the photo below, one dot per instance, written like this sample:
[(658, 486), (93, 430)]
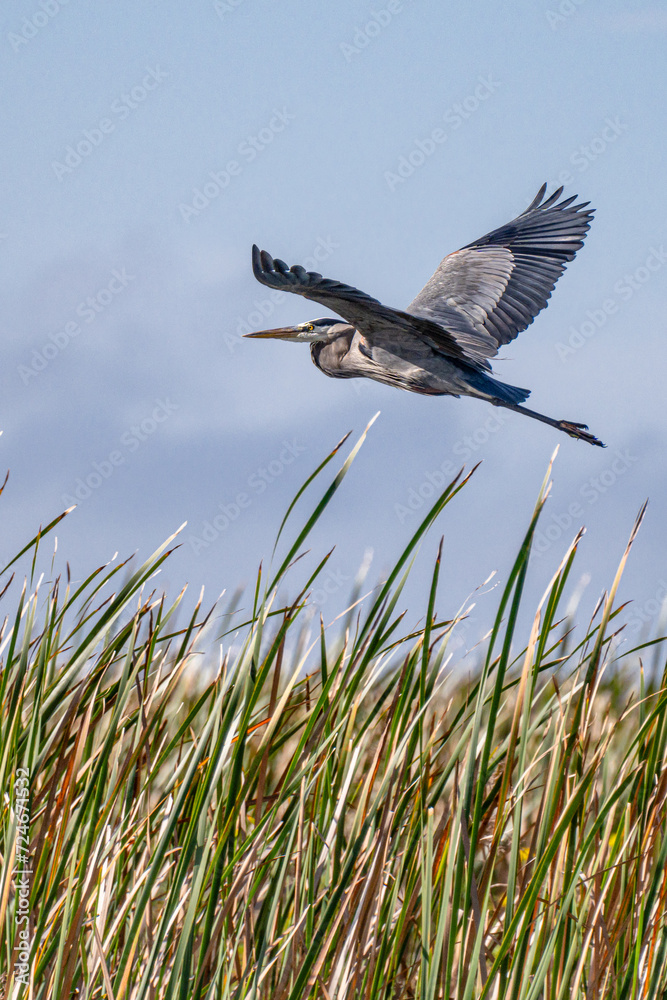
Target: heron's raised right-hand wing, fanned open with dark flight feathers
[(502, 281)]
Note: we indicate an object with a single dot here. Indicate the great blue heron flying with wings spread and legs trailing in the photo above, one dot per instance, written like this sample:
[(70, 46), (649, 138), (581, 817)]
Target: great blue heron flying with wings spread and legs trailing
[(480, 297)]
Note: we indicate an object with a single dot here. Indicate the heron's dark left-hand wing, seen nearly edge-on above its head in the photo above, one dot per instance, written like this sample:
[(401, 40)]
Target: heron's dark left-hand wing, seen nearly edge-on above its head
[(365, 313)]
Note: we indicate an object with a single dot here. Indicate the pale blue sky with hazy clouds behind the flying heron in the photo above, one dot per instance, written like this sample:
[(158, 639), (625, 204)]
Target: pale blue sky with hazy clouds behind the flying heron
[(146, 147)]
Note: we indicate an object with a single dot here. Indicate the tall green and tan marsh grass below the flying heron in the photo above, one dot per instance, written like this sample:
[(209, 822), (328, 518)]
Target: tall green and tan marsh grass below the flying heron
[(254, 814)]
